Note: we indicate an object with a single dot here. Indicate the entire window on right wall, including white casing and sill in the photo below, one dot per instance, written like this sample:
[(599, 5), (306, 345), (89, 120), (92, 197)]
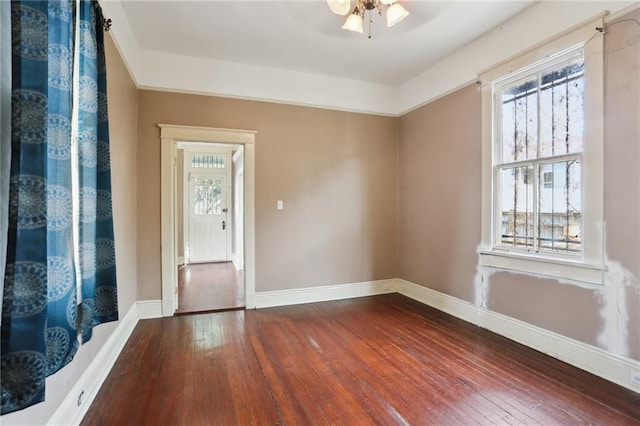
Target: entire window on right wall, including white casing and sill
[(542, 160)]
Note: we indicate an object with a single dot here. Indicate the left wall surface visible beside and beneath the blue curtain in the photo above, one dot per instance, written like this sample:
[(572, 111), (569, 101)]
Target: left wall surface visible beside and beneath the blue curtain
[(123, 100)]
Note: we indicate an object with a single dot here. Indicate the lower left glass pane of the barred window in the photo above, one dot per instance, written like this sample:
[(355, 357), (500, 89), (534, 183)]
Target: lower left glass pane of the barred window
[(516, 210)]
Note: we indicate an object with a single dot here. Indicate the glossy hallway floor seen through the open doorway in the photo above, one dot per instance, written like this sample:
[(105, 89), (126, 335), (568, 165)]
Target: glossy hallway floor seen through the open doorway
[(206, 287)]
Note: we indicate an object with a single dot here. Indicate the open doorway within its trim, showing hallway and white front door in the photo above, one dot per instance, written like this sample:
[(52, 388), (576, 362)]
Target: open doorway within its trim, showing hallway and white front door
[(208, 179)]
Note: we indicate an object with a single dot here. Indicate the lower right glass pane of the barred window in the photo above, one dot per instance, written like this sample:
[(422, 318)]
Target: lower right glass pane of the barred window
[(560, 207)]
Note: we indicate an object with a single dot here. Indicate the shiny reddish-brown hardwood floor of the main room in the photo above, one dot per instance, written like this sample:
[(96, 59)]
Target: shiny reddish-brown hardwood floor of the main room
[(376, 360)]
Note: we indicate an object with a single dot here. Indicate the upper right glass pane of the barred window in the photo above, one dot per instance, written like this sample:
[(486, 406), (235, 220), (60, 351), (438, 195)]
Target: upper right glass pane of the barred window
[(562, 110)]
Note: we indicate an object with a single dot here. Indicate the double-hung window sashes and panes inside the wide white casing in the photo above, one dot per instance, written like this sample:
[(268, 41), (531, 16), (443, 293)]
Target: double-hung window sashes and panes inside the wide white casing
[(541, 120)]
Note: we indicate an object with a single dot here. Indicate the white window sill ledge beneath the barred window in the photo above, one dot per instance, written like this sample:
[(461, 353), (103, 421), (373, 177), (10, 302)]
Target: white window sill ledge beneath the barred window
[(555, 268)]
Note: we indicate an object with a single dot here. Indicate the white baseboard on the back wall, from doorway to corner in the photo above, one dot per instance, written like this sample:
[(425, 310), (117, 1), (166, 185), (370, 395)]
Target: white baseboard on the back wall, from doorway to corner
[(267, 299)]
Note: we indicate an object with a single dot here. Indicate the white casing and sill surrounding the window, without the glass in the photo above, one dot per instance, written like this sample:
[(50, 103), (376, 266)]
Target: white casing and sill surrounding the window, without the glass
[(589, 266)]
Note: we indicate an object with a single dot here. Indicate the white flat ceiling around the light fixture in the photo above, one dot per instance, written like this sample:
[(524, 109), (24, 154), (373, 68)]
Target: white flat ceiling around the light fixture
[(306, 36)]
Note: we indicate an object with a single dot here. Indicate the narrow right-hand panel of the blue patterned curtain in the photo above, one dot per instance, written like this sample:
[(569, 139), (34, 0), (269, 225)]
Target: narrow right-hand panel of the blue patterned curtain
[(97, 249)]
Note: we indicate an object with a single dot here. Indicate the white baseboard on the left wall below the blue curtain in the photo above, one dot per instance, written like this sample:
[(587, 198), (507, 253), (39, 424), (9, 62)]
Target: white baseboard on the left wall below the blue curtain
[(68, 412)]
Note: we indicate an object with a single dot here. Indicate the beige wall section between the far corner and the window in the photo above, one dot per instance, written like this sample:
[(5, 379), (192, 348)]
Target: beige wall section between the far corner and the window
[(440, 149)]
